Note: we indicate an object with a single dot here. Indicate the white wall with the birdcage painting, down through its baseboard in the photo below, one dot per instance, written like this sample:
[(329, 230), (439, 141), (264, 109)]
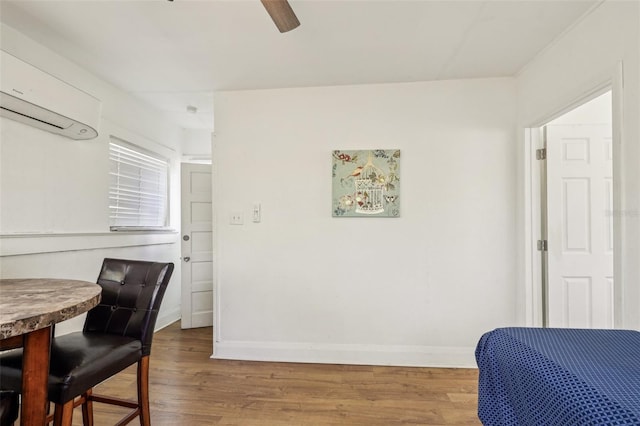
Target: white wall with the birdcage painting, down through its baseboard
[(415, 290)]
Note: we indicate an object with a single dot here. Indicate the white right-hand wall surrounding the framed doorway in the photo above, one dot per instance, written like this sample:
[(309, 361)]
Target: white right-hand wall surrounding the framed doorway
[(585, 58)]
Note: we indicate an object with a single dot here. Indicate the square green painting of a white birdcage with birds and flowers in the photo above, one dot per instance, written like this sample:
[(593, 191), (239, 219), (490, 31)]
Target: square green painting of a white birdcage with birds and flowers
[(366, 183)]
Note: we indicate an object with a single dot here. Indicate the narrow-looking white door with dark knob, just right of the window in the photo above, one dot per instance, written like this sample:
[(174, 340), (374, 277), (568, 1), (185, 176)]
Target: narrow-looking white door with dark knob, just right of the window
[(197, 246)]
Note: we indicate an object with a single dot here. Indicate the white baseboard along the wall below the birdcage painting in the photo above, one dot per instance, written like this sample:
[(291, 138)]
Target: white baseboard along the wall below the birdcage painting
[(409, 356)]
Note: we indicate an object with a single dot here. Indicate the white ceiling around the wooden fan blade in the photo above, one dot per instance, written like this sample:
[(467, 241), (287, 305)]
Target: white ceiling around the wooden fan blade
[(174, 54)]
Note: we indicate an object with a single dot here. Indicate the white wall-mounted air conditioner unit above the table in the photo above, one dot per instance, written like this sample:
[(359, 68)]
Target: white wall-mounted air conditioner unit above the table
[(33, 97)]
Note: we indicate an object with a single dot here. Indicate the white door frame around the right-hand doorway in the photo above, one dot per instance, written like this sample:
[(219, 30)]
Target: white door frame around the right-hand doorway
[(535, 261)]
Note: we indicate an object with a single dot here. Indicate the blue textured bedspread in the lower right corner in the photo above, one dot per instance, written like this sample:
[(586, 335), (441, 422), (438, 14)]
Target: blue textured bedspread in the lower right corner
[(535, 376)]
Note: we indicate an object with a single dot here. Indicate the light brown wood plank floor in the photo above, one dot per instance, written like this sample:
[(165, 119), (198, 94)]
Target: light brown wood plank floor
[(188, 388)]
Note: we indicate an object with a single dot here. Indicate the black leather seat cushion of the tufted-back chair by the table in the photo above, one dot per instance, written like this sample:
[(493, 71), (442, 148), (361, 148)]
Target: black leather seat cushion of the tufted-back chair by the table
[(79, 361)]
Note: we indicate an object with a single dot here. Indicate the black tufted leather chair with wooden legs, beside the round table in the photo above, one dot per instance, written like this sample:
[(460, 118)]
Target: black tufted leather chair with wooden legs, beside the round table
[(117, 334)]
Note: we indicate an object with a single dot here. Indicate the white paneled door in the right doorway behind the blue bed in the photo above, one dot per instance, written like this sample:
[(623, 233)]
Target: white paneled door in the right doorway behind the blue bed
[(580, 226)]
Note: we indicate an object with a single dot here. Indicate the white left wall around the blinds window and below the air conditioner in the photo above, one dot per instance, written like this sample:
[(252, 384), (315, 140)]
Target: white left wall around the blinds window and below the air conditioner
[(54, 191)]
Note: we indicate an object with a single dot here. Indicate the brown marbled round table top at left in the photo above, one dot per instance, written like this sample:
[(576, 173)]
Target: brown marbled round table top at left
[(28, 304)]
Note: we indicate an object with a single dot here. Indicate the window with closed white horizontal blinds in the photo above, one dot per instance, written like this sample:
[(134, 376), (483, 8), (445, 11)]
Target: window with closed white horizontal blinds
[(138, 188)]
